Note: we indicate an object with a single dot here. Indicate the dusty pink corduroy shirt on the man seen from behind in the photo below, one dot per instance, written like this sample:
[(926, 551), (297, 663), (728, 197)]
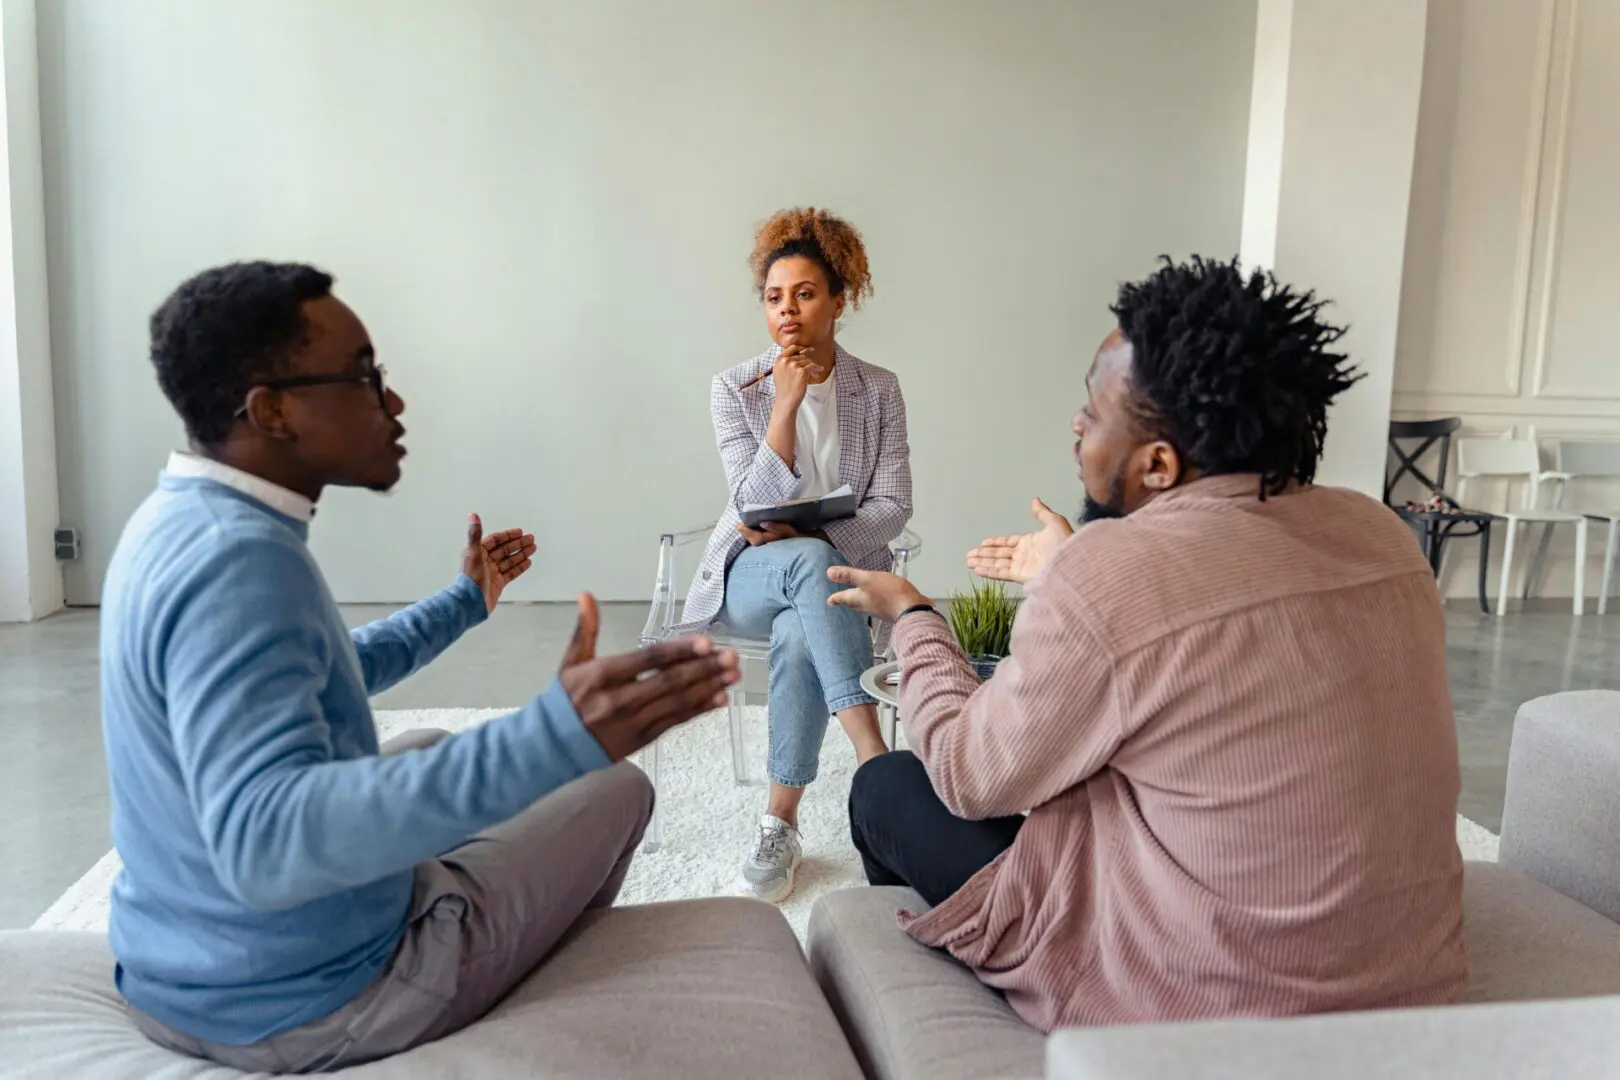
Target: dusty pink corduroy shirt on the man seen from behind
[(1232, 726)]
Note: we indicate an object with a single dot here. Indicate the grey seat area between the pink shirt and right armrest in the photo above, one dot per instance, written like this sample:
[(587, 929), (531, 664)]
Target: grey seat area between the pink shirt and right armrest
[(1527, 942)]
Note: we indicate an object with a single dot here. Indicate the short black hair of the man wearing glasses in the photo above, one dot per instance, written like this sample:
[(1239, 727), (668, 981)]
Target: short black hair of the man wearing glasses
[(226, 330)]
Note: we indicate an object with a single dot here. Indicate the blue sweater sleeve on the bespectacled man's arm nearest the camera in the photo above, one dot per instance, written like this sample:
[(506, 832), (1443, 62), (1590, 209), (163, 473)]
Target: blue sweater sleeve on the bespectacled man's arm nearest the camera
[(284, 820)]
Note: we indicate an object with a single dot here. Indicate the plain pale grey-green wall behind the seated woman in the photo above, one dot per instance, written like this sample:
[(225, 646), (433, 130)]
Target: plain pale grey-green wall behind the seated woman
[(544, 213)]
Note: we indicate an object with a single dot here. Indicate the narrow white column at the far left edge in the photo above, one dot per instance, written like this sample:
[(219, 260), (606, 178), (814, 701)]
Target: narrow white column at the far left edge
[(30, 576)]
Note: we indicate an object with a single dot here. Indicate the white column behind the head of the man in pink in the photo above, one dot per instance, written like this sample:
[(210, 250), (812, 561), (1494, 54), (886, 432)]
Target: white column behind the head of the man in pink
[(1332, 130)]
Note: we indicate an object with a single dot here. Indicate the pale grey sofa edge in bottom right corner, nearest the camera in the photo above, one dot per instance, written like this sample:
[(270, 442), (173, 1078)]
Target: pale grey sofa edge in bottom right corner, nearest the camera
[(1564, 1039)]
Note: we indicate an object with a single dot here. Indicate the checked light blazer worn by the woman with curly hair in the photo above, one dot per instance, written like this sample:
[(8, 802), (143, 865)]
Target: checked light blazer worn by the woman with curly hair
[(874, 461)]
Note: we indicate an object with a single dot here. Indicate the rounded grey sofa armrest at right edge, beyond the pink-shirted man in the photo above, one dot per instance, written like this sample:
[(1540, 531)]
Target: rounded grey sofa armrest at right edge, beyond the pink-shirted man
[(1564, 797)]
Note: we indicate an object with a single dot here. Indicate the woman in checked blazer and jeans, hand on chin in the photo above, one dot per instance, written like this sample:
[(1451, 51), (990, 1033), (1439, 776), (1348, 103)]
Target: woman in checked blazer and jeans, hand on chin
[(799, 422)]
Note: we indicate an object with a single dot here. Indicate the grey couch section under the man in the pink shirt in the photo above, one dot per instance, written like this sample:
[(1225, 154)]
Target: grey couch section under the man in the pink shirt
[(1543, 927)]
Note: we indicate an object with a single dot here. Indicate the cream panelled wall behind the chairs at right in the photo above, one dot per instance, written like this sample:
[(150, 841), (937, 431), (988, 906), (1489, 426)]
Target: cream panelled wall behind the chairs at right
[(1512, 278)]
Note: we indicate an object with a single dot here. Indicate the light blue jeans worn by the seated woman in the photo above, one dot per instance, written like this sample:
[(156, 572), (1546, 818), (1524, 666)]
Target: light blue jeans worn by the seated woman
[(819, 652)]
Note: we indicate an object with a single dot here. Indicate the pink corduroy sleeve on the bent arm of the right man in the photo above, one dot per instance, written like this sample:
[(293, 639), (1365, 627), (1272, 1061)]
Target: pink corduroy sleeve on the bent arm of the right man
[(1046, 723)]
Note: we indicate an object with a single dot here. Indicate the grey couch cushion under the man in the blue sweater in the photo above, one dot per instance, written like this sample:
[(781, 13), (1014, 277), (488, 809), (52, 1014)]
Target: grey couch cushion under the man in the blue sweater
[(697, 989)]
